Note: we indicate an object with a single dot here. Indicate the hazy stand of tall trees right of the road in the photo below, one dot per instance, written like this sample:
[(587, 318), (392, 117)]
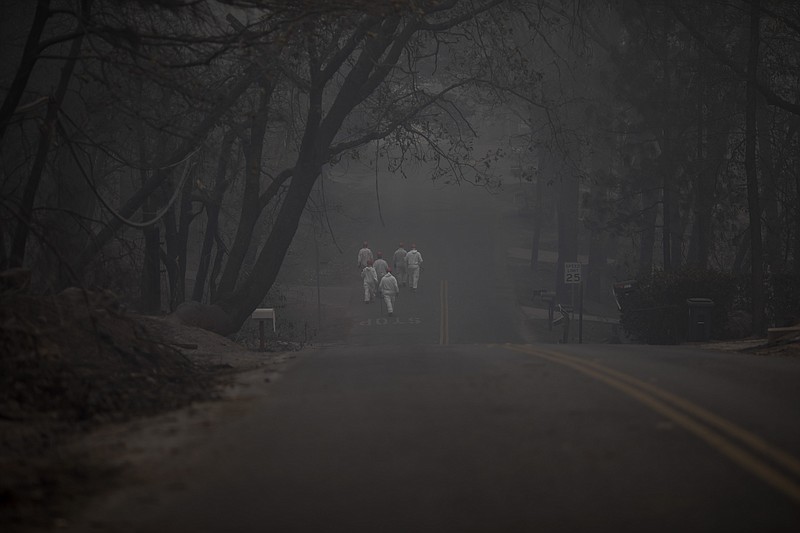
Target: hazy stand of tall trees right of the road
[(667, 131)]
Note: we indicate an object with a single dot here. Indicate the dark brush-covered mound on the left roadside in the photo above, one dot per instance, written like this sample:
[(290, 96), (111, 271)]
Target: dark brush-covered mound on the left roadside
[(79, 358)]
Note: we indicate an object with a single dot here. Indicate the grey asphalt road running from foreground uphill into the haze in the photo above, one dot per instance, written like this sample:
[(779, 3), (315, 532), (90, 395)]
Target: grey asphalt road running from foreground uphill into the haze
[(443, 419)]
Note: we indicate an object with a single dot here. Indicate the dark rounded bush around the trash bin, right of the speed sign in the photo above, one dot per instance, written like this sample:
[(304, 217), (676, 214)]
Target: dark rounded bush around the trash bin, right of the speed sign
[(657, 312)]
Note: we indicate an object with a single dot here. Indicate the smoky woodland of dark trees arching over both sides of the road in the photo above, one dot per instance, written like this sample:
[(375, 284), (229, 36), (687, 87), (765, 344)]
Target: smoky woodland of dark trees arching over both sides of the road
[(167, 150)]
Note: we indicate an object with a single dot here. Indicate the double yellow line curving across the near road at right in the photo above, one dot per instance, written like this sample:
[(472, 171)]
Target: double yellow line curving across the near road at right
[(752, 453)]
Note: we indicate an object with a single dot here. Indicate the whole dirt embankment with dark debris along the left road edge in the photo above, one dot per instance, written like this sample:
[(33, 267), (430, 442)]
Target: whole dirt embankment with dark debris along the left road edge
[(72, 362)]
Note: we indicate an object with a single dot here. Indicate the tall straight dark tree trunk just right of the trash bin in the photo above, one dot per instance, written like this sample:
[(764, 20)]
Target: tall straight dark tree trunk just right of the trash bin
[(753, 203)]
